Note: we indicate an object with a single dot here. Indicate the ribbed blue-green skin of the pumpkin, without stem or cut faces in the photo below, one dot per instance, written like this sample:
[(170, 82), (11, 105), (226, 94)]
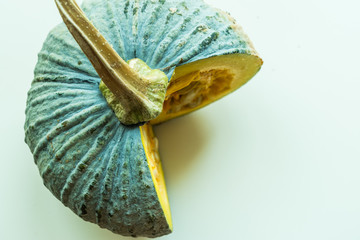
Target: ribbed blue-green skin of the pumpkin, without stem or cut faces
[(91, 162)]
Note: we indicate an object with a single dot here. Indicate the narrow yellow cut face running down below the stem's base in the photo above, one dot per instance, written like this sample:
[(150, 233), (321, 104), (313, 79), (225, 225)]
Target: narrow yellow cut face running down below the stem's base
[(151, 151)]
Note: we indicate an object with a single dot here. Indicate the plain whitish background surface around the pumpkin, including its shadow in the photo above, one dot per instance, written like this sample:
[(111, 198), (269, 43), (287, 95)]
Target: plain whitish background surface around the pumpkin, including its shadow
[(278, 159)]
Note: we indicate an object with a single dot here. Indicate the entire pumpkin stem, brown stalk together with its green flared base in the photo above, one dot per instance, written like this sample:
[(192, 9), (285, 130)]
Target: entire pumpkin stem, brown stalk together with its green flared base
[(139, 96)]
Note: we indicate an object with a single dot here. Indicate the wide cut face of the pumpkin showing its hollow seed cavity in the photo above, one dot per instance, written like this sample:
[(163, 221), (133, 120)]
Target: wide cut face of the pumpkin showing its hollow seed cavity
[(200, 83)]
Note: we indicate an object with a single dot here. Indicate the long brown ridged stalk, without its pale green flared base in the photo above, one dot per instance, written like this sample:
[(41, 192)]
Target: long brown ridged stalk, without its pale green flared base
[(126, 84)]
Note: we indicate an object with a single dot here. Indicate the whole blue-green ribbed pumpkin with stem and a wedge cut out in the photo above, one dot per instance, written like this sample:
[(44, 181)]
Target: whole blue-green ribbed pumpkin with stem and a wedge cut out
[(105, 168)]
